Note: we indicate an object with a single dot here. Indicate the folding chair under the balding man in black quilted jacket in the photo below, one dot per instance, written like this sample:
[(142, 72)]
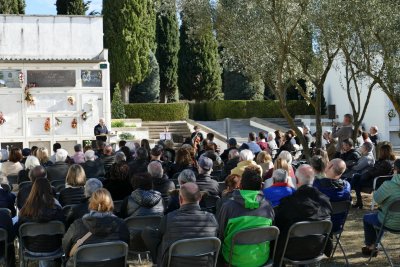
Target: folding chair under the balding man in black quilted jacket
[(196, 247)]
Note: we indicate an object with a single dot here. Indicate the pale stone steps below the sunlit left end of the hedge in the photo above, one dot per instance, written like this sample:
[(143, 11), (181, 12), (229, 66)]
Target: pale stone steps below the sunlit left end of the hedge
[(179, 130)]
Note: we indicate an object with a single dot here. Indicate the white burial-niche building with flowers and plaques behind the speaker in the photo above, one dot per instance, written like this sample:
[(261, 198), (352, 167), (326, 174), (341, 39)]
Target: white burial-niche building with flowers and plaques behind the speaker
[(62, 60)]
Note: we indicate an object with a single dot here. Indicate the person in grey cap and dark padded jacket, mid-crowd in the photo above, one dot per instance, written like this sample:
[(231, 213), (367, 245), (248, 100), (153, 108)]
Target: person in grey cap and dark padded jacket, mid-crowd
[(204, 180)]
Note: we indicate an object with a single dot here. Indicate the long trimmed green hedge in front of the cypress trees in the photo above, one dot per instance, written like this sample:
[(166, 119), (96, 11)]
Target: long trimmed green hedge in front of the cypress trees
[(215, 110)]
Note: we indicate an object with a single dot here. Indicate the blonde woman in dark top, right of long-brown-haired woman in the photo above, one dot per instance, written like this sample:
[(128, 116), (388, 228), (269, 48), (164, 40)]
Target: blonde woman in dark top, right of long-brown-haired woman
[(74, 191)]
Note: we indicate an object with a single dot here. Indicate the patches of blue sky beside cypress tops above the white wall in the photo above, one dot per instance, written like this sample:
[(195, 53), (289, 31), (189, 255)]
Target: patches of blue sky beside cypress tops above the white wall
[(47, 7)]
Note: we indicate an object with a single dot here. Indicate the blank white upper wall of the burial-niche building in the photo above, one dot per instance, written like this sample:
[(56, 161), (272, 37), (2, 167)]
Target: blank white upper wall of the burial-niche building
[(55, 37)]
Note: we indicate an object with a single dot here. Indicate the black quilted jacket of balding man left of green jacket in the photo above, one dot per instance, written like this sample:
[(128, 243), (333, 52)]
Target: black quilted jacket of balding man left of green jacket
[(186, 222)]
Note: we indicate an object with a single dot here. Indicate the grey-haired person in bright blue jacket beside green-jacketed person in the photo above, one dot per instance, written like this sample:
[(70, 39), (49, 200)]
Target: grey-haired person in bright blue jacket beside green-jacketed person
[(279, 189)]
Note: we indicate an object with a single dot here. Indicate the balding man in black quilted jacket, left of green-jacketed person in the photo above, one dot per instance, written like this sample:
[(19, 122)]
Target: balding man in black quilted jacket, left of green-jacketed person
[(183, 223)]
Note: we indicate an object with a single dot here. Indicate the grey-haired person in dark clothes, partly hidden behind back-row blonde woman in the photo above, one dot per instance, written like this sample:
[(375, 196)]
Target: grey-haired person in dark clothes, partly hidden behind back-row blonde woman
[(77, 211)]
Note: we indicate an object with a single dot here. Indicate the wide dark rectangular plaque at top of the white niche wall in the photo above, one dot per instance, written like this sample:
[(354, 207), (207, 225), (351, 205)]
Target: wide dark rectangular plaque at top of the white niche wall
[(52, 78)]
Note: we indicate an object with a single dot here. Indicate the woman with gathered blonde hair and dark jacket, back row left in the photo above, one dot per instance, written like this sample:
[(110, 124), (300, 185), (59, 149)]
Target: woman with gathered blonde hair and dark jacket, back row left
[(98, 226)]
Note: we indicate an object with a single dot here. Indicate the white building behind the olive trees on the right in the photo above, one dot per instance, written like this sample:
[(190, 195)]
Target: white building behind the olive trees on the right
[(377, 111)]
